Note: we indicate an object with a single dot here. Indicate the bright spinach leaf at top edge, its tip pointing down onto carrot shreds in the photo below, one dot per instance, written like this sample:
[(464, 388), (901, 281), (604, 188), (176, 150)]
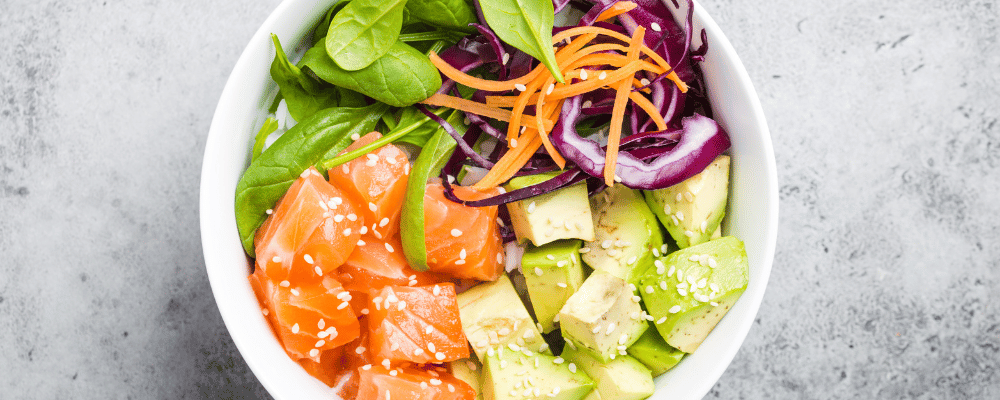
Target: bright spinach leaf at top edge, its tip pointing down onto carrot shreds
[(527, 25)]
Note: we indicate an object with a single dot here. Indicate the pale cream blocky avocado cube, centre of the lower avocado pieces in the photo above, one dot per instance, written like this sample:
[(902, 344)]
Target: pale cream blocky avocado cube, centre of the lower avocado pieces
[(602, 315)]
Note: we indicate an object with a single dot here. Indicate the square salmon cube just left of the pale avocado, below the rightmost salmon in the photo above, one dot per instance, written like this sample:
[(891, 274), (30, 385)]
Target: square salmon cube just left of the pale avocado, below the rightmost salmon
[(417, 324)]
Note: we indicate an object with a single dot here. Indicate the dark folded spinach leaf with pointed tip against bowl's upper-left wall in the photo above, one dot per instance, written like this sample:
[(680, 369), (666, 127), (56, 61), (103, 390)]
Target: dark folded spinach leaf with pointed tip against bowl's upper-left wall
[(303, 94)]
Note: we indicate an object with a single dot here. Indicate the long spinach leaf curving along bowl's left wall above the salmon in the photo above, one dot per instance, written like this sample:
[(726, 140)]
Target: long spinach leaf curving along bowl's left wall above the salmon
[(312, 140)]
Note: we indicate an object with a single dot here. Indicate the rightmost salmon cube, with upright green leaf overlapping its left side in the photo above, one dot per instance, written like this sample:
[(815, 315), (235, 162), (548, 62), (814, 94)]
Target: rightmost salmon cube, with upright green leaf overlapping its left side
[(462, 242)]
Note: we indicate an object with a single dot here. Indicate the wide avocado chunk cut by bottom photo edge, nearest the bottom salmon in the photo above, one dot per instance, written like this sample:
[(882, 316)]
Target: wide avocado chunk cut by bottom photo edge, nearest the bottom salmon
[(513, 375)]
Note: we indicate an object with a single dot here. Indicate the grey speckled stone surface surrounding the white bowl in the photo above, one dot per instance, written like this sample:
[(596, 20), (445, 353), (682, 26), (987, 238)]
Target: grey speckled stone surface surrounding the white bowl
[(886, 282)]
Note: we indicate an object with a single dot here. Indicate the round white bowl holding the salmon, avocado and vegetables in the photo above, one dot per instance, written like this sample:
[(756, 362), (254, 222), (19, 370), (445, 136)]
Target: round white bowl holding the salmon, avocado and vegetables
[(753, 207)]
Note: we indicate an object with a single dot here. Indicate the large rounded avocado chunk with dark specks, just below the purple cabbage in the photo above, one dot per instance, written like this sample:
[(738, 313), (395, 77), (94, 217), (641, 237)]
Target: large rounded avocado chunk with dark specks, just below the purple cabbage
[(625, 233)]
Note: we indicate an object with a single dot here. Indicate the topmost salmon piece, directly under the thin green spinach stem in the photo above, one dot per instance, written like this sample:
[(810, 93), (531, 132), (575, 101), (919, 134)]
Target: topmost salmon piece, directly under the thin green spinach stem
[(378, 181)]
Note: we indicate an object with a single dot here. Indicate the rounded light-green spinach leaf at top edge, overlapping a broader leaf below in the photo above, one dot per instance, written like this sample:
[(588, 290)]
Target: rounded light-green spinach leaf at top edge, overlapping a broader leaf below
[(363, 31)]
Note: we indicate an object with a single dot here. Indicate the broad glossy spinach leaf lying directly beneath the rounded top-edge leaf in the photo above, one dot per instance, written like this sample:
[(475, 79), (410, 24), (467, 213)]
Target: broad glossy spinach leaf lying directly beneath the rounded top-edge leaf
[(402, 77)]
